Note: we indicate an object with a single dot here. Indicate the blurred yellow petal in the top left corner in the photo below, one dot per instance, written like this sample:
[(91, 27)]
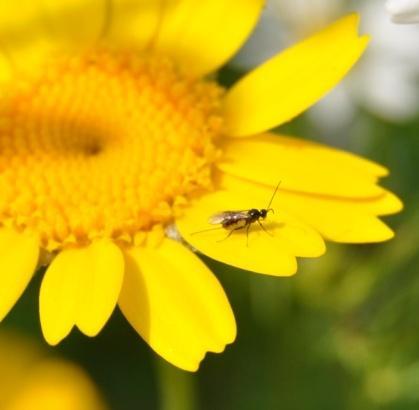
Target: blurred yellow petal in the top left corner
[(31, 30)]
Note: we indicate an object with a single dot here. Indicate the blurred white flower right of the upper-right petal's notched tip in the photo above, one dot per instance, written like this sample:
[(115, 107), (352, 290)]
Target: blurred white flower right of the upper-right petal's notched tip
[(387, 81)]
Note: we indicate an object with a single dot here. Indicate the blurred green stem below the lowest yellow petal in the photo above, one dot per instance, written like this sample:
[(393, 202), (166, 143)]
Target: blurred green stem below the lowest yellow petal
[(176, 387)]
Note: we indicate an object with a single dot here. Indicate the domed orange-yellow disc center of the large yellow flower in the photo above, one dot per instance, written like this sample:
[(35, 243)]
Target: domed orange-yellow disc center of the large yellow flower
[(104, 145)]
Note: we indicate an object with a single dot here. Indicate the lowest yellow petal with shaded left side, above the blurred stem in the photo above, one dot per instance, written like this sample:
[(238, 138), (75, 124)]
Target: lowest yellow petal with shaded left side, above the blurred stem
[(176, 304)]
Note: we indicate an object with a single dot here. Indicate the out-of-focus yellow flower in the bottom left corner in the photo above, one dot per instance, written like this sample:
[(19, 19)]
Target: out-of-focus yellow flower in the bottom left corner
[(29, 380)]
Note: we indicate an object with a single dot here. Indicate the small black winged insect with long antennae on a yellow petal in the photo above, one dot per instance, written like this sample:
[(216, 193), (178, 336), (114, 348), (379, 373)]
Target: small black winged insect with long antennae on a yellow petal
[(236, 220)]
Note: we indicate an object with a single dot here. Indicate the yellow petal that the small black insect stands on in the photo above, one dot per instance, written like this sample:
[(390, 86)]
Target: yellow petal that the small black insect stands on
[(272, 252)]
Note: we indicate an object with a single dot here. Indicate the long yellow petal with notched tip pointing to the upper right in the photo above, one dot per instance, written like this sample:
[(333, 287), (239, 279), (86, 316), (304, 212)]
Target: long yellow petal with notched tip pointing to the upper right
[(292, 81)]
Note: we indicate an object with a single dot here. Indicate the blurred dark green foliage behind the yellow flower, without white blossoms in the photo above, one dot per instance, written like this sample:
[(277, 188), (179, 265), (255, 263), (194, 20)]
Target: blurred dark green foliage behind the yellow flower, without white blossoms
[(341, 334)]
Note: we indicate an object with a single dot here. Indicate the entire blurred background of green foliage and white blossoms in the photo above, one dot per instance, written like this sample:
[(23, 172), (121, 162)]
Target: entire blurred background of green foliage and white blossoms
[(344, 332)]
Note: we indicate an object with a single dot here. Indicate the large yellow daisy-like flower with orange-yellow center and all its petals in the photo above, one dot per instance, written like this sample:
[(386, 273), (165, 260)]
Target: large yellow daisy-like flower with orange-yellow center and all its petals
[(112, 130)]
